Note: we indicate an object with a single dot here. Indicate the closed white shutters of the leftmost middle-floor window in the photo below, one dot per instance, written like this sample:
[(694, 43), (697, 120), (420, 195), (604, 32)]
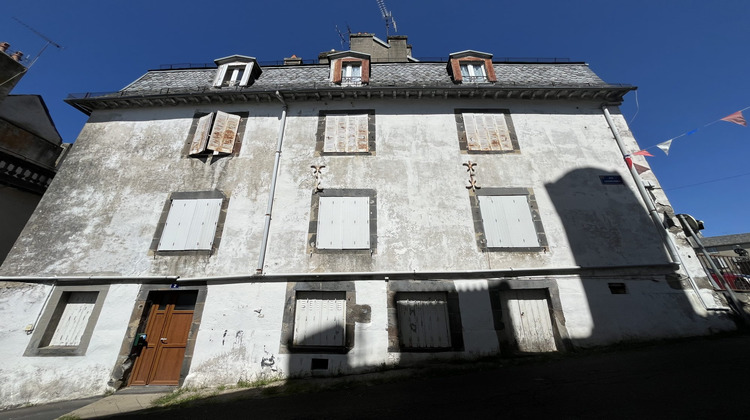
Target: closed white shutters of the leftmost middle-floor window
[(191, 224)]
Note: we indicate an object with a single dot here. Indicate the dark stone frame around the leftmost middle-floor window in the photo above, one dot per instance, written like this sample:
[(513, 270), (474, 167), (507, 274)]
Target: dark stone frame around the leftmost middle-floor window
[(193, 195)]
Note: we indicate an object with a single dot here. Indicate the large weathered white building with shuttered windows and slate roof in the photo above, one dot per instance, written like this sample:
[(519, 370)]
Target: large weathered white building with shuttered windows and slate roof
[(246, 220)]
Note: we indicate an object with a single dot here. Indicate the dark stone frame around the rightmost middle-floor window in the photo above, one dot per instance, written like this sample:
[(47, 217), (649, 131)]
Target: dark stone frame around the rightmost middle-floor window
[(481, 237)]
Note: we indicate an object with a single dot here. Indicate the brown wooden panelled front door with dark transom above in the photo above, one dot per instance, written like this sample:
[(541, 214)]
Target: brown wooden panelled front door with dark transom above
[(167, 330)]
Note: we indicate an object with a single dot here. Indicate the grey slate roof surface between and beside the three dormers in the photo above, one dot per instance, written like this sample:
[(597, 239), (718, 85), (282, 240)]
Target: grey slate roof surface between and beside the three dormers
[(382, 74)]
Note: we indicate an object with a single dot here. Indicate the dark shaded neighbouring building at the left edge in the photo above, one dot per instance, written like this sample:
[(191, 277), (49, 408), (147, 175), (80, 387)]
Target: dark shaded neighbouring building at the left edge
[(30, 151)]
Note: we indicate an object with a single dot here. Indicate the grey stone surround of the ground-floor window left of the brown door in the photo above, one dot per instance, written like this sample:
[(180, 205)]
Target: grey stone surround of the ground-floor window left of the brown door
[(49, 321)]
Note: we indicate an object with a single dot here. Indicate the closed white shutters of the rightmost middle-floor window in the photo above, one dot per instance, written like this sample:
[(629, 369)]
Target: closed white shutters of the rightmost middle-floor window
[(507, 221)]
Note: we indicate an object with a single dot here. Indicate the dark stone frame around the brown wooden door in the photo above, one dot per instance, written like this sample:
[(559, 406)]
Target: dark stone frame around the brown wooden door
[(138, 319)]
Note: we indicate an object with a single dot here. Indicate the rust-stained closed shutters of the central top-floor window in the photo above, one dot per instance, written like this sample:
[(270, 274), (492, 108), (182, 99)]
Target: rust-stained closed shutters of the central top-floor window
[(346, 133)]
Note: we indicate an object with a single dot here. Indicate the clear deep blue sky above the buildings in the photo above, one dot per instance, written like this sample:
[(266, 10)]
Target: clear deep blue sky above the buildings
[(689, 60)]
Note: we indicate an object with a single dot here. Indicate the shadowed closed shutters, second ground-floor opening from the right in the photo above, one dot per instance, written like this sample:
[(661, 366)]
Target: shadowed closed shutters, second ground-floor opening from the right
[(423, 320)]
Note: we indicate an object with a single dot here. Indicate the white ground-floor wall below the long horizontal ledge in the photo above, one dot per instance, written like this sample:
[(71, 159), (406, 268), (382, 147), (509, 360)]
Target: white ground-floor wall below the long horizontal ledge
[(248, 331)]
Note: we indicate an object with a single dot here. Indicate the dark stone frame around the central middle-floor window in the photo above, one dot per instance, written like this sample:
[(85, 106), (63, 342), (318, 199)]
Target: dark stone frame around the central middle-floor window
[(312, 237)]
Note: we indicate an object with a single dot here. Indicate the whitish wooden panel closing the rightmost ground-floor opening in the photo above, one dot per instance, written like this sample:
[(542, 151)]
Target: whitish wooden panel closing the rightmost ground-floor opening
[(529, 316)]
